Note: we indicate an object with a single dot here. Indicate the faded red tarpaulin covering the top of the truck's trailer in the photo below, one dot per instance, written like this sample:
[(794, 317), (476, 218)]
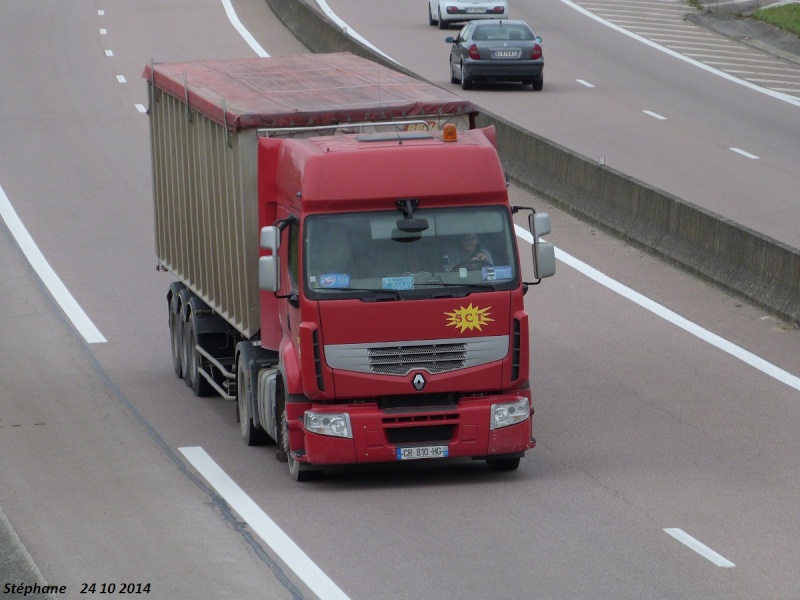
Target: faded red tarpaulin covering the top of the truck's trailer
[(301, 90)]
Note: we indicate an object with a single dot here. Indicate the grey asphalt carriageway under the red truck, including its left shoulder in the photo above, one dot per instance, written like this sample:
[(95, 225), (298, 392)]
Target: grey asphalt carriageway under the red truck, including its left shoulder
[(641, 426)]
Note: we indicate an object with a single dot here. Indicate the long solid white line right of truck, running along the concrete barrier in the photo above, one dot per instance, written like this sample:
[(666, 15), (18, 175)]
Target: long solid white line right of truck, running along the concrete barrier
[(659, 310)]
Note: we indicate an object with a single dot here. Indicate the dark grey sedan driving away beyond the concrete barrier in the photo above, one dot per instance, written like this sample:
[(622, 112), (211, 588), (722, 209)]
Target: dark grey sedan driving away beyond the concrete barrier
[(494, 51)]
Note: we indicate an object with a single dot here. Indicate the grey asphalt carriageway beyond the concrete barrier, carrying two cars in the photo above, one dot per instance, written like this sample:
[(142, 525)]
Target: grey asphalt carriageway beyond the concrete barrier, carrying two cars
[(688, 154)]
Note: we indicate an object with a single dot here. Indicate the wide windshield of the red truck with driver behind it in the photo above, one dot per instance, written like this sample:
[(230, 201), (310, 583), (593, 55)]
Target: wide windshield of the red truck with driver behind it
[(364, 255)]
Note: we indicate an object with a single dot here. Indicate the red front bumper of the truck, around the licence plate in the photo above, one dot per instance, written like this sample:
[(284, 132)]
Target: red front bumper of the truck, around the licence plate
[(377, 434)]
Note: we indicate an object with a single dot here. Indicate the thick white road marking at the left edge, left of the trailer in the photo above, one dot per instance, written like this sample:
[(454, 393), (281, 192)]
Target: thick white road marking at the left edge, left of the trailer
[(59, 291)]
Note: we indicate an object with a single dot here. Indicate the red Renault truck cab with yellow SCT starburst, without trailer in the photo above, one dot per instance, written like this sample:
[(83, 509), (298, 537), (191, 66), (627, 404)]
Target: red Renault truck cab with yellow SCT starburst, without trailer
[(392, 265)]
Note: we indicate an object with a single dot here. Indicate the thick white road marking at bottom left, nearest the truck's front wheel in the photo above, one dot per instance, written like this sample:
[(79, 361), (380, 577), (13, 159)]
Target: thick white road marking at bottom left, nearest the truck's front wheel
[(263, 526)]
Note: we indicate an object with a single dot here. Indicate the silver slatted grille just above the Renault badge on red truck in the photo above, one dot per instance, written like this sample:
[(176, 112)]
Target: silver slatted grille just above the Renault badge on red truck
[(434, 358)]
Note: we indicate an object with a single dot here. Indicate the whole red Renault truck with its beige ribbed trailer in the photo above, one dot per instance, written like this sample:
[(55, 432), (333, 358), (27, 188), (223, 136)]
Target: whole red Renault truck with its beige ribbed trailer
[(346, 260)]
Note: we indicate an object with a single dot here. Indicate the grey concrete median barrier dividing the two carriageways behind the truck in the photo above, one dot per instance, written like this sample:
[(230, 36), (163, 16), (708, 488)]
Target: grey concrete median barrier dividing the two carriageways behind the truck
[(743, 262)]
